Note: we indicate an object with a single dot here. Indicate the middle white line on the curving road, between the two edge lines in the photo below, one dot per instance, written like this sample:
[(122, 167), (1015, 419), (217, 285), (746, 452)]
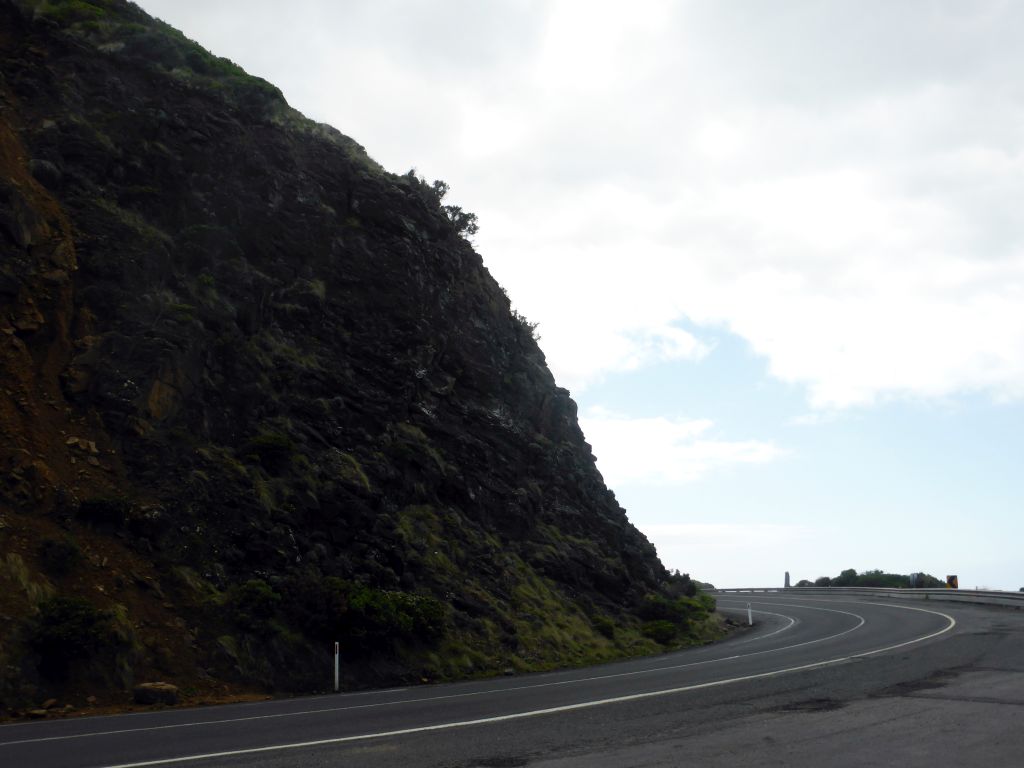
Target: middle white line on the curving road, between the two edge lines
[(635, 673)]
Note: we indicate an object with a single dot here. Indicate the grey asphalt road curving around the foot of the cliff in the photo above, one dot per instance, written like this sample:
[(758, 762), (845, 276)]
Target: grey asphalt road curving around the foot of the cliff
[(804, 659)]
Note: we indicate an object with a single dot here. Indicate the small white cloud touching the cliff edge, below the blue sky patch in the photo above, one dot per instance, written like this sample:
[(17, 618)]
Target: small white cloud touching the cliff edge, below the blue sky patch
[(667, 452)]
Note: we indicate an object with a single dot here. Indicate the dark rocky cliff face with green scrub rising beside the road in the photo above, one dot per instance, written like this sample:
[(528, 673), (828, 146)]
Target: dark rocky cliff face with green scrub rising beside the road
[(241, 362)]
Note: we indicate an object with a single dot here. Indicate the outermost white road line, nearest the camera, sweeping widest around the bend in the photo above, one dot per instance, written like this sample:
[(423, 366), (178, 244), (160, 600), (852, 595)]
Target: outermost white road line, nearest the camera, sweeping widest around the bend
[(549, 711)]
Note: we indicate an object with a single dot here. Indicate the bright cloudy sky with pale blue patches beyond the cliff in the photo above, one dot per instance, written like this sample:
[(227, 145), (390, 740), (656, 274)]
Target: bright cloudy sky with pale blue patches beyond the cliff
[(775, 249)]
